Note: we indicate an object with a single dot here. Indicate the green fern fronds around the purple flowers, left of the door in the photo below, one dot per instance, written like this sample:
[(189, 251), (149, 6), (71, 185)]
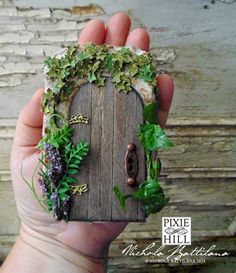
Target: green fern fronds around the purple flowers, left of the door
[(72, 156)]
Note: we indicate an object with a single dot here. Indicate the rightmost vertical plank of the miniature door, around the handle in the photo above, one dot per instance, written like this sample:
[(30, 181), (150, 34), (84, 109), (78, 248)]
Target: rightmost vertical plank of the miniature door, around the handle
[(128, 114)]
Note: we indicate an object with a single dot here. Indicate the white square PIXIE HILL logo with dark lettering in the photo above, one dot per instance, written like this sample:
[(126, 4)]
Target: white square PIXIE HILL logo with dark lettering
[(176, 230)]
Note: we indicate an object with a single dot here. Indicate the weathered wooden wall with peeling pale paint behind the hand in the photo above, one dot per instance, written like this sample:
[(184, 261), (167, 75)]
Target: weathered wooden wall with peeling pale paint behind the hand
[(195, 41)]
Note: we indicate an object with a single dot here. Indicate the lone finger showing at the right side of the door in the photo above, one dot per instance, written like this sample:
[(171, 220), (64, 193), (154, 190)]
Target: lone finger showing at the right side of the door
[(166, 87)]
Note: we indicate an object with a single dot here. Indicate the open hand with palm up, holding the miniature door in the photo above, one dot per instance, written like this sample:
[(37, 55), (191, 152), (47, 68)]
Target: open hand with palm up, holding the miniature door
[(90, 239)]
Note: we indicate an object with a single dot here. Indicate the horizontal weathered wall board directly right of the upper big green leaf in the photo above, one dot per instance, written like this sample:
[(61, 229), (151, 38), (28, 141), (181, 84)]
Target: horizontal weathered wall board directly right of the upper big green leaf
[(200, 152)]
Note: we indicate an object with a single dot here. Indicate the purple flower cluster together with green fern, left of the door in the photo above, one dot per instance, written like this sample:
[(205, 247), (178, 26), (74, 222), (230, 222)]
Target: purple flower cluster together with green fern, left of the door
[(60, 159)]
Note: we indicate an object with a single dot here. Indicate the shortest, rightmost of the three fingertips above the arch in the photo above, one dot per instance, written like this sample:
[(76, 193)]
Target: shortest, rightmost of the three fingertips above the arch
[(139, 38)]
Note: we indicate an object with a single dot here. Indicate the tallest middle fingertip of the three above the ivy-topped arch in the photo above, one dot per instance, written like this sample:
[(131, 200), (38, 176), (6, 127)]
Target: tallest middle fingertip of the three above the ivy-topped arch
[(117, 29)]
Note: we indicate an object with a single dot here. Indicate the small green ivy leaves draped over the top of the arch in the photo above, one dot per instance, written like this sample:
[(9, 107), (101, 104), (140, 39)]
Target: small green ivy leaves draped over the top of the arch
[(93, 62)]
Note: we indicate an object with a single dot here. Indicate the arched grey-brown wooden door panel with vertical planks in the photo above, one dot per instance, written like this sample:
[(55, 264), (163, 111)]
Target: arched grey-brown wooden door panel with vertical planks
[(113, 120)]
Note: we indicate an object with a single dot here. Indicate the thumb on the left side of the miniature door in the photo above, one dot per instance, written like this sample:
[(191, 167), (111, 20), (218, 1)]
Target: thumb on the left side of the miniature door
[(29, 125)]
